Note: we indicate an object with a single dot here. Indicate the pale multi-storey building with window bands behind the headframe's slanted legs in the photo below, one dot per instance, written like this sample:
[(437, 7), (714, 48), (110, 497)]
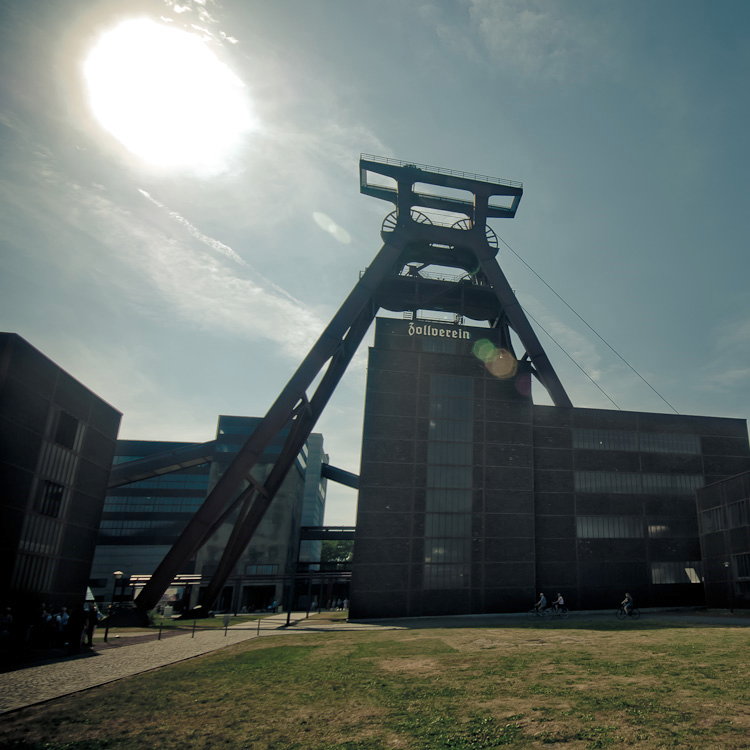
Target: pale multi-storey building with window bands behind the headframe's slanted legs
[(143, 519)]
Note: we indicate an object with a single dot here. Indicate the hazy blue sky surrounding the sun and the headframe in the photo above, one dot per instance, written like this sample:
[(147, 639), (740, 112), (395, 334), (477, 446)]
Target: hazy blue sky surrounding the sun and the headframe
[(178, 293)]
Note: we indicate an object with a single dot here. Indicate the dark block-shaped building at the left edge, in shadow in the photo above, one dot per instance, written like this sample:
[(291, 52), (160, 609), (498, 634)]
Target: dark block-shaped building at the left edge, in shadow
[(57, 439)]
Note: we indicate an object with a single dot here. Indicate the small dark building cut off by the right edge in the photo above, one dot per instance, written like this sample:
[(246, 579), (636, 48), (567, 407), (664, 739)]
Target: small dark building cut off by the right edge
[(724, 523)]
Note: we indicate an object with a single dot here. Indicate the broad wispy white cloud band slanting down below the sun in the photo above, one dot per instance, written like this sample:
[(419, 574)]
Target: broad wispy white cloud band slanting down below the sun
[(189, 280)]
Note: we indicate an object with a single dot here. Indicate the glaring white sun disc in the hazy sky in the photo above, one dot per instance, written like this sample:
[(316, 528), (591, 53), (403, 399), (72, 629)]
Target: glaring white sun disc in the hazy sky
[(167, 97)]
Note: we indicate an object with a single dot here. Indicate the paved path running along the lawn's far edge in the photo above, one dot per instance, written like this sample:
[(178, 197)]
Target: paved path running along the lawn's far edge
[(43, 682)]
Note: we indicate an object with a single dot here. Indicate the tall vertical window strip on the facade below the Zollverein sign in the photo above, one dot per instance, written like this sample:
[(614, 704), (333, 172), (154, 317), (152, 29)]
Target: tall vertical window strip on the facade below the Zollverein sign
[(447, 544)]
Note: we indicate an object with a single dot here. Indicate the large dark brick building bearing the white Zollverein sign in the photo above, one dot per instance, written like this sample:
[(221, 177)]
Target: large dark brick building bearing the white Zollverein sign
[(473, 499)]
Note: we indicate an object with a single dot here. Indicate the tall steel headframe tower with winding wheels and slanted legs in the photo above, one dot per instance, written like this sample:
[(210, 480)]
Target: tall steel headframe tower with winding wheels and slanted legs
[(412, 241)]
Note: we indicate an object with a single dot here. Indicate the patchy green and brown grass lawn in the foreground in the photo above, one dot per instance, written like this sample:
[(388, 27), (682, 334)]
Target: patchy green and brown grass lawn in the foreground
[(572, 684)]
